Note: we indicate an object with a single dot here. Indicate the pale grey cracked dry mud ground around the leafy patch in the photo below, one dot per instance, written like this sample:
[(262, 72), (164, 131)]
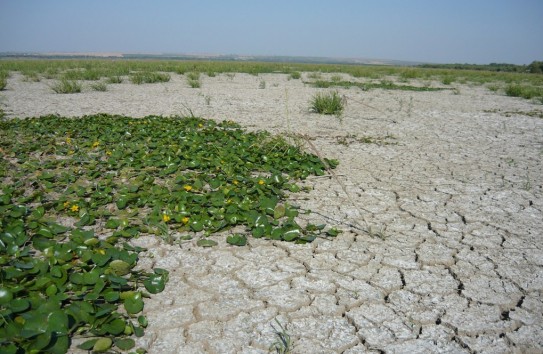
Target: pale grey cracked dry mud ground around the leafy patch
[(455, 260)]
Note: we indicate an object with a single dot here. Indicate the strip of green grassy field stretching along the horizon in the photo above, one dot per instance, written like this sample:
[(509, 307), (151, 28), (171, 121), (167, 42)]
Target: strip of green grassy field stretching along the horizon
[(526, 85)]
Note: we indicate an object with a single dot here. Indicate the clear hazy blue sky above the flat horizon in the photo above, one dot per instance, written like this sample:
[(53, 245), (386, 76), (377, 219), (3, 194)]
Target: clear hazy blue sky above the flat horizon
[(442, 31)]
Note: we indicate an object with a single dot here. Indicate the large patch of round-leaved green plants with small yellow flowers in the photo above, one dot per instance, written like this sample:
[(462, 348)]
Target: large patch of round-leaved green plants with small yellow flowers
[(74, 191)]
